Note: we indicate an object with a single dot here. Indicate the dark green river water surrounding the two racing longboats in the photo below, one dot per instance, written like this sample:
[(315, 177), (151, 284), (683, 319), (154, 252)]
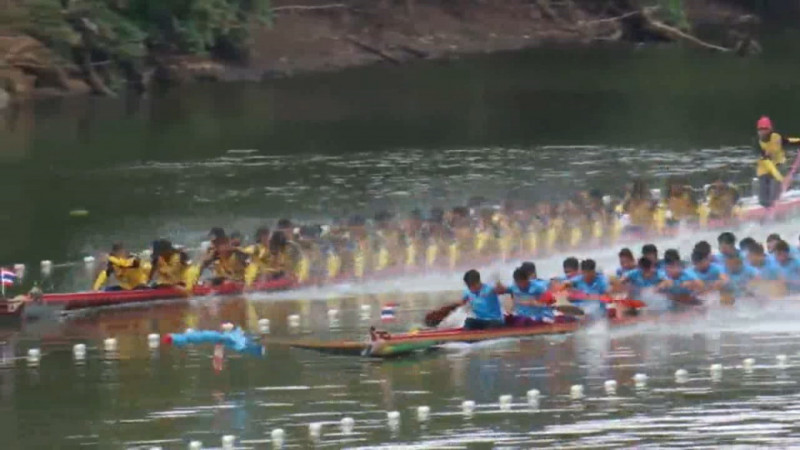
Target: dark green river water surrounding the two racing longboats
[(542, 124)]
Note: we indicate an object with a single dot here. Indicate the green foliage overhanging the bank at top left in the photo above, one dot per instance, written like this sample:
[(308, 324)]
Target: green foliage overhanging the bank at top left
[(127, 29)]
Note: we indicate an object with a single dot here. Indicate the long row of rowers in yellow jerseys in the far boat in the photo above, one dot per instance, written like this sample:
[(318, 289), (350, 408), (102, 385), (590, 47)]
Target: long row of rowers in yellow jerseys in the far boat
[(439, 239)]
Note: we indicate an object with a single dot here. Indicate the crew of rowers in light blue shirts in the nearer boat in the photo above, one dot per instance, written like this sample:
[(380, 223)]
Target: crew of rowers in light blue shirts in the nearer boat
[(735, 270)]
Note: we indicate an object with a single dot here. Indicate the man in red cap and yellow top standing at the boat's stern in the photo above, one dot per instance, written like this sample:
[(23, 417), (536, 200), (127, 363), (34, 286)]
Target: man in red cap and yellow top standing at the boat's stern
[(770, 148)]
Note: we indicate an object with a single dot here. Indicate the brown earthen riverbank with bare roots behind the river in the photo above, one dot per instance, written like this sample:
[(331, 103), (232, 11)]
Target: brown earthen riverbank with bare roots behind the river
[(323, 36)]
